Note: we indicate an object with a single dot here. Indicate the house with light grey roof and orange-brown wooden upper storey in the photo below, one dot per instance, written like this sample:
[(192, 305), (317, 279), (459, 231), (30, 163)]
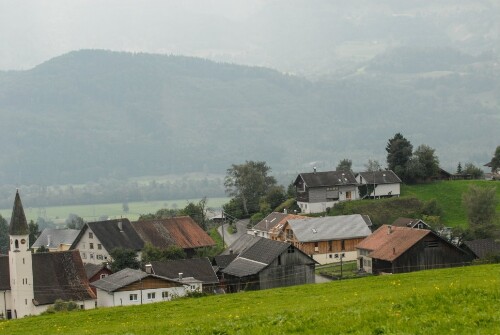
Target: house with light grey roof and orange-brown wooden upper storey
[(327, 239)]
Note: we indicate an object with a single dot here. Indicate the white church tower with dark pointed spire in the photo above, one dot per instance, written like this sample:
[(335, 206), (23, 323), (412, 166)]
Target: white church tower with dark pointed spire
[(20, 263)]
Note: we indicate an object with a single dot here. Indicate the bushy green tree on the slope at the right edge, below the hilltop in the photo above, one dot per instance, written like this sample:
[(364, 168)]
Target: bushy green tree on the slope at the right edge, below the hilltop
[(480, 204)]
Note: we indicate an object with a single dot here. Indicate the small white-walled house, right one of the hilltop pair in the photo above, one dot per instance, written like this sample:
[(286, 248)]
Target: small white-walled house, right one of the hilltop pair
[(378, 184)]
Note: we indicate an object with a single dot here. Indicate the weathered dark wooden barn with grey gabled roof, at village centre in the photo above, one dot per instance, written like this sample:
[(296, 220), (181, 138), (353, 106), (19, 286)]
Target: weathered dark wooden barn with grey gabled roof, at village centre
[(265, 264)]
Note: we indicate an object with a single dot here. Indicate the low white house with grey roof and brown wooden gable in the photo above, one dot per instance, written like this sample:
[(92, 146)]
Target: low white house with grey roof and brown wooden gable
[(135, 287)]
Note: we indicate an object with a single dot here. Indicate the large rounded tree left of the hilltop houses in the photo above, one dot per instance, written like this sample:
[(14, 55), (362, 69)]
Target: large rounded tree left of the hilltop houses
[(248, 182)]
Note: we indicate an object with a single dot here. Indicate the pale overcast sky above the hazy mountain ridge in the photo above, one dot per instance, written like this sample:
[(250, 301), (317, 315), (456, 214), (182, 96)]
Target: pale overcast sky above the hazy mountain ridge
[(298, 36)]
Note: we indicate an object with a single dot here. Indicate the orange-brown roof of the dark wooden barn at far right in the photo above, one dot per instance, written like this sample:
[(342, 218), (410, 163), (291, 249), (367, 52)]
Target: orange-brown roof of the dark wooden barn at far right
[(388, 242)]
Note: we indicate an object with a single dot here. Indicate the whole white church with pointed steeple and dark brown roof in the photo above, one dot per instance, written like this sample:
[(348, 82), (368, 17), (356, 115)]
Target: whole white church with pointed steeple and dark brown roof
[(31, 283)]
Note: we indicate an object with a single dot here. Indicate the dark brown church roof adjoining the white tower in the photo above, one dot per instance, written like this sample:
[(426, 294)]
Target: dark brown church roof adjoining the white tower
[(60, 275)]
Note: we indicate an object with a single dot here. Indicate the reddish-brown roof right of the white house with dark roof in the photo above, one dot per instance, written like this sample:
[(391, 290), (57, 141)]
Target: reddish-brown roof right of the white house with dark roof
[(182, 231)]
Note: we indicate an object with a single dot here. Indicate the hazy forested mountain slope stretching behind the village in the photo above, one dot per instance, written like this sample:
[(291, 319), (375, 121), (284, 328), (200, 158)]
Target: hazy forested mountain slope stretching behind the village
[(94, 114)]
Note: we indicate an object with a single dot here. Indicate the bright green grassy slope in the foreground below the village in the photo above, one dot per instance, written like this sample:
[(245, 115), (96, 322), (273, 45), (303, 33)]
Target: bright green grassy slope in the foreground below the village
[(450, 301)]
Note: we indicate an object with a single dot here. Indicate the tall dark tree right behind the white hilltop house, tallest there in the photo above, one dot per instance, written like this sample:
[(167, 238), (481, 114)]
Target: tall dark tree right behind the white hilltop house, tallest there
[(399, 151)]
